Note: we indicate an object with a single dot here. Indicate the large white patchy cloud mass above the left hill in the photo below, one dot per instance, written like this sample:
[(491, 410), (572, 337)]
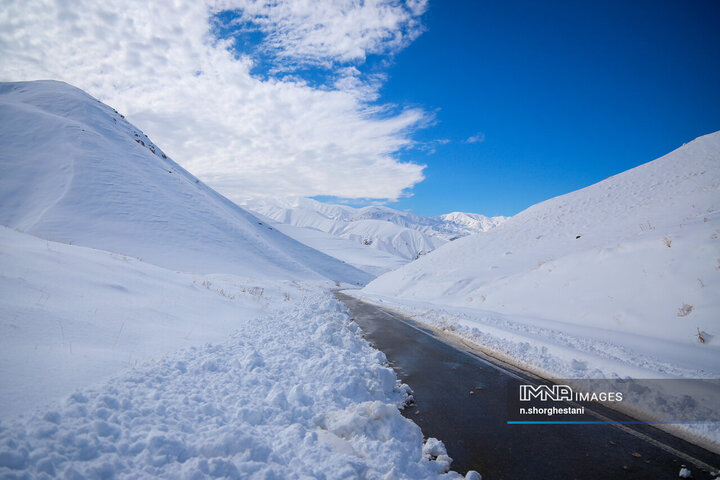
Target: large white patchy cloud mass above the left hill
[(157, 63)]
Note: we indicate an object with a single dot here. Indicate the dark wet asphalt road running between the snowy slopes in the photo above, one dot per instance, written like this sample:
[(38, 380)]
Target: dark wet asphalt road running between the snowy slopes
[(473, 426)]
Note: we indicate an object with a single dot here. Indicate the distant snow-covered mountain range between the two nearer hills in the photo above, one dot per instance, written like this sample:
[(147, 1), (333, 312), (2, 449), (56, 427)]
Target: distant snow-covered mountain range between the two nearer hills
[(403, 235)]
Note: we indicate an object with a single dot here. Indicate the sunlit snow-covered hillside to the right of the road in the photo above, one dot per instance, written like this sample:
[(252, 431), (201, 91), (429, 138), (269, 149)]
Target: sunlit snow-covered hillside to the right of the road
[(615, 279)]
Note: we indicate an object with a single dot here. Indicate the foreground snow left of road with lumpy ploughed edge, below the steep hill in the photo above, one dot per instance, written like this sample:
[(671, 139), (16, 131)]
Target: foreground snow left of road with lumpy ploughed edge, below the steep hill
[(122, 369)]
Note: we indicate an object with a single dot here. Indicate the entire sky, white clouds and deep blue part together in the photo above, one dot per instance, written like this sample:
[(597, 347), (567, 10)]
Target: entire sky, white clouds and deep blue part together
[(375, 101)]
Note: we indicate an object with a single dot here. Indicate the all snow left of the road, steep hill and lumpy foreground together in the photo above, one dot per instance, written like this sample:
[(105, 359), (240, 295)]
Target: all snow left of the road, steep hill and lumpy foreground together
[(151, 328)]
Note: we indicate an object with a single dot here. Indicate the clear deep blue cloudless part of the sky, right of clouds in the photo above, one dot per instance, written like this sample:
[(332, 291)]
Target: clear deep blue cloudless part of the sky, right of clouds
[(565, 93)]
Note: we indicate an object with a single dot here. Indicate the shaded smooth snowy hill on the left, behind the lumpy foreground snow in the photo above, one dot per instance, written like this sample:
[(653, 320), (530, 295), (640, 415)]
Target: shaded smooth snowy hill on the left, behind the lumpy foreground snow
[(73, 170)]
